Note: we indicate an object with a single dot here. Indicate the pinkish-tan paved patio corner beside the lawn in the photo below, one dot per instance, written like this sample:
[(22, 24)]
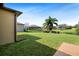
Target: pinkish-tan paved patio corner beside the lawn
[(67, 49)]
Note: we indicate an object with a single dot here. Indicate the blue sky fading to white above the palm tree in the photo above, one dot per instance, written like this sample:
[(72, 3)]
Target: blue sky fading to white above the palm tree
[(36, 13)]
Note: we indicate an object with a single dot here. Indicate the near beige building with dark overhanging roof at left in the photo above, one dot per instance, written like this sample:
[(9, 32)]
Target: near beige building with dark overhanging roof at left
[(8, 24)]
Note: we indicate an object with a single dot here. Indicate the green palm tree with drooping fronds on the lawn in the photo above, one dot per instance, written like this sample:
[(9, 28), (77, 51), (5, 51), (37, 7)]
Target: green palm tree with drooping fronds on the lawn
[(49, 23)]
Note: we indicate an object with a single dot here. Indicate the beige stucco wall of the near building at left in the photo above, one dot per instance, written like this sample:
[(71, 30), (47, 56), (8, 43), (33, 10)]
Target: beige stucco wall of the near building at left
[(6, 27)]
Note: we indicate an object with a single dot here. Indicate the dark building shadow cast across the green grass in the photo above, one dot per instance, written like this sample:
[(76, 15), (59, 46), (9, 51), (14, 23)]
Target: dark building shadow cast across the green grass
[(28, 46)]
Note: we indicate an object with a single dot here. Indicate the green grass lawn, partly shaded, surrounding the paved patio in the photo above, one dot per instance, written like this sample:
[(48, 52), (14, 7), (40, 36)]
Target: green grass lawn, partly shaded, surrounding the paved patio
[(38, 43)]
